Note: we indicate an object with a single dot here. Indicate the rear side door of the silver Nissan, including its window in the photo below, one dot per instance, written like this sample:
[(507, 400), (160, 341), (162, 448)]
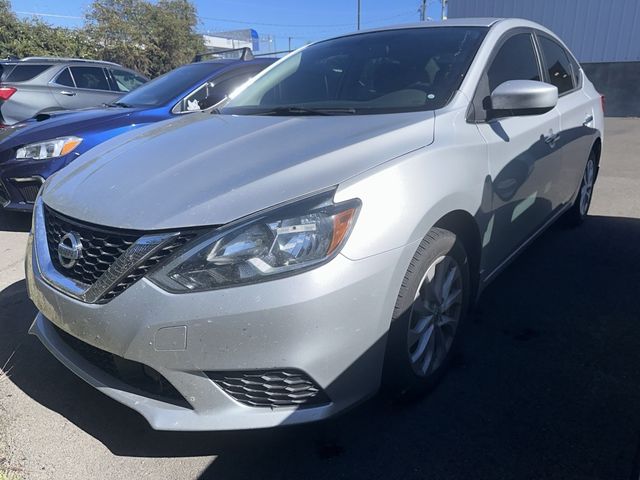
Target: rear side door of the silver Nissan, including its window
[(576, 114)]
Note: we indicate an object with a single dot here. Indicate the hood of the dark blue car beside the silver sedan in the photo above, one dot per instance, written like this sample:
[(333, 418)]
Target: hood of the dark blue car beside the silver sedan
[(59, 124)]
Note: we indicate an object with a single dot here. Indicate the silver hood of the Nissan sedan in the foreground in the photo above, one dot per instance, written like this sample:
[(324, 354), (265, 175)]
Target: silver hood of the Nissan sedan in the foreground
[(206, 169)]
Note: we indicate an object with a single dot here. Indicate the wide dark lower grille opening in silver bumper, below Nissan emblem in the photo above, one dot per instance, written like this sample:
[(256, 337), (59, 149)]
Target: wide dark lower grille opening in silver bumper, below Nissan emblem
[(141, 379)]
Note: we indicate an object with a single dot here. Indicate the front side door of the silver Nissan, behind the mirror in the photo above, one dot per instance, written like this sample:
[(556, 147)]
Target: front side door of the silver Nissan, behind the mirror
[(523, 159)]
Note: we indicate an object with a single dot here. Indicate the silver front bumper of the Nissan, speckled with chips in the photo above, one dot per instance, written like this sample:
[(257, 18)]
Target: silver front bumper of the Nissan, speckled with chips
[(329, 323)]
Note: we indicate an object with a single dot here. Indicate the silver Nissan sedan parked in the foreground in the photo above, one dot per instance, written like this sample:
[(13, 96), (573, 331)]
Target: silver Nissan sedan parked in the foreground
[(322, 233)]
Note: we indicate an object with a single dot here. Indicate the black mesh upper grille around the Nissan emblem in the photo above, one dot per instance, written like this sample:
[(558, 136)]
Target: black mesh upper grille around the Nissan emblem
[(101, 247)]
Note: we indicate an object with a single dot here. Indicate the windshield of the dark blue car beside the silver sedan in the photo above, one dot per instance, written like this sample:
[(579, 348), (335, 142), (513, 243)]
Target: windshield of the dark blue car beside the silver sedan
[(165, 88)]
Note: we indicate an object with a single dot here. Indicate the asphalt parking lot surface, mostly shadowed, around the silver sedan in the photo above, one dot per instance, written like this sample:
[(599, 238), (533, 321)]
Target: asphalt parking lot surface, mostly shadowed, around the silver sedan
[(546, 384)]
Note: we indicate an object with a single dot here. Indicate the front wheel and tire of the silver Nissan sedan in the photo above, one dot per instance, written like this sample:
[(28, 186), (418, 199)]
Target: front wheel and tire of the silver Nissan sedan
[(426, 324)]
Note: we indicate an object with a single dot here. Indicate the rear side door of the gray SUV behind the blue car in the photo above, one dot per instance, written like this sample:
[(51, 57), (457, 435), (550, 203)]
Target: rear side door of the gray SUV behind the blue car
[(82, 87)]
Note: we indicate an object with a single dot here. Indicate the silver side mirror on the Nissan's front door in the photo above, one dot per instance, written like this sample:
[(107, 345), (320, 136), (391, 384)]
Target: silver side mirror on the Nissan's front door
[(523, 97)]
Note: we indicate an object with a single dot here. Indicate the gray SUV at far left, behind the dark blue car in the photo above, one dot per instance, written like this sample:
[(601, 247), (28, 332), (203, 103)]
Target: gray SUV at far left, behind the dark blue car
[(37, 85)]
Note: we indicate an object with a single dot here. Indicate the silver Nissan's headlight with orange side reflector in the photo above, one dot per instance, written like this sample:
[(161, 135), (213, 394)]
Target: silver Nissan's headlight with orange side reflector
[(276, 243)]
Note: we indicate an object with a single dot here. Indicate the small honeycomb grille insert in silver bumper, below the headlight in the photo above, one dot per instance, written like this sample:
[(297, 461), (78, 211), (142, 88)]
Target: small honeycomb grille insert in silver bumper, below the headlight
[(271, 388)]
